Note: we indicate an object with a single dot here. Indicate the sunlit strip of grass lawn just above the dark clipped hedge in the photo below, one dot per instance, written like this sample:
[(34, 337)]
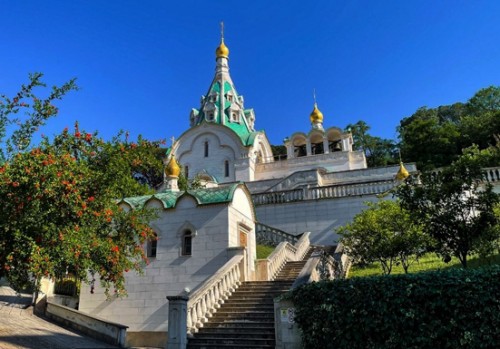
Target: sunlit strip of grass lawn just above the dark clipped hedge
[(428, 262)]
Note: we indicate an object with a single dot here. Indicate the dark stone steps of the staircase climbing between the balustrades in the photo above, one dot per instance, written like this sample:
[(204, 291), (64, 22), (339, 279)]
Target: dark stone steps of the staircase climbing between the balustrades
[(246, 319)]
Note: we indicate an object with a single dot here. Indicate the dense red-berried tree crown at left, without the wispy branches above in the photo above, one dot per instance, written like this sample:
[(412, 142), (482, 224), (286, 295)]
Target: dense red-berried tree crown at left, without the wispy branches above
[(58, 212)]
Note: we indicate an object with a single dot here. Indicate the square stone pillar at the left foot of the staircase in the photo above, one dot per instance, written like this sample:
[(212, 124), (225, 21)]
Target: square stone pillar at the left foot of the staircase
[(177, 322)]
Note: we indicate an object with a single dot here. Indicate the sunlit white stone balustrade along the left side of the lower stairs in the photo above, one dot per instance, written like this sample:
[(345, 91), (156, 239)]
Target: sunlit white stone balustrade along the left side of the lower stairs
[(206, 298)]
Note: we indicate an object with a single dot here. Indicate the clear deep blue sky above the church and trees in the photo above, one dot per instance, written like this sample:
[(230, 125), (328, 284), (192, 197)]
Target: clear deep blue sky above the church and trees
[(142, 65)]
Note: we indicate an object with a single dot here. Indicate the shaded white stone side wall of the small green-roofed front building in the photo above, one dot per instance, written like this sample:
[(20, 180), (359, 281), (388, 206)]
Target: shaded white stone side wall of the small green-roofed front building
[(146, 308)]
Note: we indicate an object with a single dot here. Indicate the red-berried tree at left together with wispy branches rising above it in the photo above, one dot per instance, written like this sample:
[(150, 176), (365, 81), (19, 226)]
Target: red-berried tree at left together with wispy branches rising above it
[(58, 208)]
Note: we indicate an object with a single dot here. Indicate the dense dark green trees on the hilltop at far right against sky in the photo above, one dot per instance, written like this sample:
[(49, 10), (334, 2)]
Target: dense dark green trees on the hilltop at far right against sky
[(435, 137)]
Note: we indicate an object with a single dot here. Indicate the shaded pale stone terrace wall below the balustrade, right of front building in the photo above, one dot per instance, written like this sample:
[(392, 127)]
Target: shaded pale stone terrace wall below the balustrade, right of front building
[(320, 217)]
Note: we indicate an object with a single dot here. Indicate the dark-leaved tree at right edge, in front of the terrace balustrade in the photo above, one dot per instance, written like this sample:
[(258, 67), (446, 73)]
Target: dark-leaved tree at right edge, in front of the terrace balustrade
[(454, 205)]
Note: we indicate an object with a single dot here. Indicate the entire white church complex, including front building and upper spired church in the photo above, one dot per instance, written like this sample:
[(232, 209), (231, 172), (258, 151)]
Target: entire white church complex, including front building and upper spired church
[(248, 195)]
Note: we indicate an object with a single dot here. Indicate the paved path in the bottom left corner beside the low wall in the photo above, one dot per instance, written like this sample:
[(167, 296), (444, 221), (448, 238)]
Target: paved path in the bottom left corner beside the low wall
[(20, 329)]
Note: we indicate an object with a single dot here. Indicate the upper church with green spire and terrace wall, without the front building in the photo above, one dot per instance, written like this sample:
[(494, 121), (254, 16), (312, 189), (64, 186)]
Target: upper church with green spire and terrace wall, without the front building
[(319, 184)]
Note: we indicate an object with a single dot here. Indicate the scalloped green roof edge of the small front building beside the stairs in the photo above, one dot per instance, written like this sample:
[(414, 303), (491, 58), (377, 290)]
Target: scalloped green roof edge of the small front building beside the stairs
[(203, 196)]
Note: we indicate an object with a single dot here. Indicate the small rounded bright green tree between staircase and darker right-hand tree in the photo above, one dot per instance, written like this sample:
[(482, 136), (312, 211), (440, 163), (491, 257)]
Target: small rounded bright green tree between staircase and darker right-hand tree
[(384, 233)]
